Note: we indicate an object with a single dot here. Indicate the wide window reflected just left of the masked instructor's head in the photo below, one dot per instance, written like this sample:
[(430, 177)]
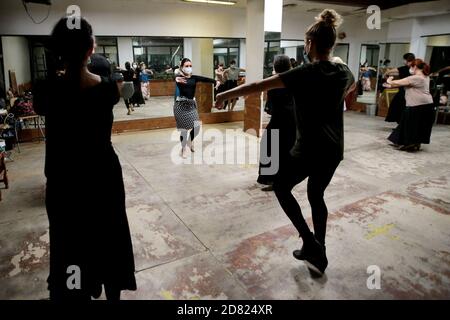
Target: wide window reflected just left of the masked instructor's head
[(158, 53)]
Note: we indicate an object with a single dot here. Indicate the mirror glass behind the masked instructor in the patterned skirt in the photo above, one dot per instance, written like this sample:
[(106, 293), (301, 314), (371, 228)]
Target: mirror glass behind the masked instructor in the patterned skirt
[(156, 60)]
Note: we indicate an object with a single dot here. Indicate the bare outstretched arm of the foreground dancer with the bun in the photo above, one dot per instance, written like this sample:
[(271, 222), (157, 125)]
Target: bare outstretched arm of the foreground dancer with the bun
[(247, 89)]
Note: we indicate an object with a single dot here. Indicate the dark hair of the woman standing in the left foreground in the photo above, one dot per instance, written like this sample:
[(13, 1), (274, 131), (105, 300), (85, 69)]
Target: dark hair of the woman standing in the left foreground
[(70, 45)]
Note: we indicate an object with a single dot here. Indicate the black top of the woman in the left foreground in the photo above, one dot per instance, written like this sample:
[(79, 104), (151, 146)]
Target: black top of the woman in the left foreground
[(76, 126)]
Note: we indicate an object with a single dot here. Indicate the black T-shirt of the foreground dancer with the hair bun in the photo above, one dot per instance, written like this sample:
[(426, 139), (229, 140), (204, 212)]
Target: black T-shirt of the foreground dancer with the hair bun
[(319, 90)]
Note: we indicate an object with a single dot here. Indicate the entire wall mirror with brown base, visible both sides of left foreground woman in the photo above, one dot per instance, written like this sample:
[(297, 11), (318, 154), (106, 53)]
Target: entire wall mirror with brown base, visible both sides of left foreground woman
[(155, 59)]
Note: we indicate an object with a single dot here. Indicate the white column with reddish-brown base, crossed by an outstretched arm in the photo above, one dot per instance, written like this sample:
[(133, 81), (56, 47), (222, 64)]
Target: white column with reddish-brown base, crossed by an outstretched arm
[(254, 63)]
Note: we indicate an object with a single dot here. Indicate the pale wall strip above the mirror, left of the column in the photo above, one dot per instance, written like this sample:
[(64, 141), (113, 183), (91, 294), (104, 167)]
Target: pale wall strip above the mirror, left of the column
[(130, 18)]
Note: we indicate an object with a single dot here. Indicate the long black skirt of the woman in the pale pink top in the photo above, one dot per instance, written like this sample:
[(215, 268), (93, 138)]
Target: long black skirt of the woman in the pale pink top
[(415, 126)]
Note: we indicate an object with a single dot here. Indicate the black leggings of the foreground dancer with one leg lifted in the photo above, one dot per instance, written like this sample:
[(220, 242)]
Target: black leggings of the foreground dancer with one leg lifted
[(319, 178)]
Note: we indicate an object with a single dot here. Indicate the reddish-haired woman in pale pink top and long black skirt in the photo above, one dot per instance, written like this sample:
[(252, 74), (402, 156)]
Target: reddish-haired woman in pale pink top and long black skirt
[(418, 116)]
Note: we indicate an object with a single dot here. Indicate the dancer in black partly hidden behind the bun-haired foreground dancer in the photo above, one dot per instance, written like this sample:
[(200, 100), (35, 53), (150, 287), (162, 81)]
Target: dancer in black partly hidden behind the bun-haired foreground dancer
[(280, 105)]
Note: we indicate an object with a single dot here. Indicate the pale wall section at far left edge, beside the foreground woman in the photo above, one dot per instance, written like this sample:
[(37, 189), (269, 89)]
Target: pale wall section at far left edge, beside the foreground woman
[(16, 57)]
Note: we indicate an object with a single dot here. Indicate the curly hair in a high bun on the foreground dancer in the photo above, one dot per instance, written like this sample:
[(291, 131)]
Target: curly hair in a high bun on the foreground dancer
[(323, 32)]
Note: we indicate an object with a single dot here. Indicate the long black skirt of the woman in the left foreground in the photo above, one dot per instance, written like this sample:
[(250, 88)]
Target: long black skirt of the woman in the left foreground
[(89, 232)]
